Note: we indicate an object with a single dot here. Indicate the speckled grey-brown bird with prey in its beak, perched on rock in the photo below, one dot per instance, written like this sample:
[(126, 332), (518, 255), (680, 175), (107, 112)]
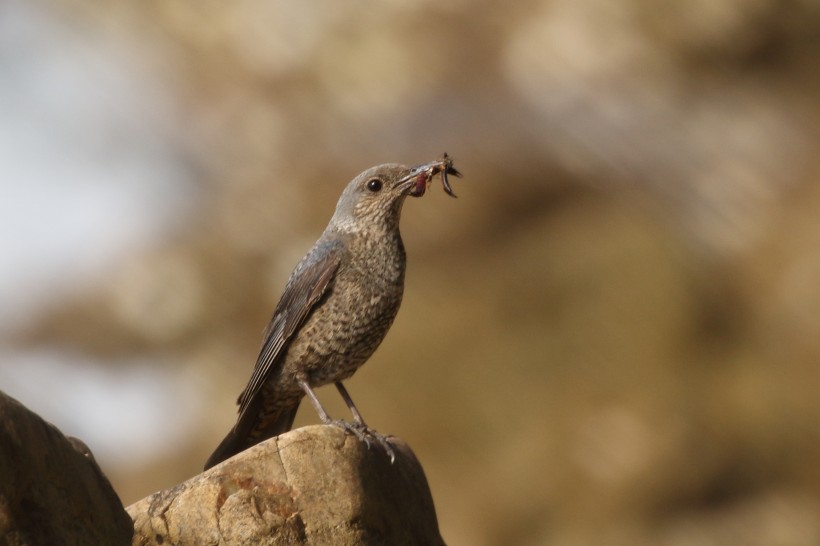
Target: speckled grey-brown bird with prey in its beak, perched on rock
[(335, 310)]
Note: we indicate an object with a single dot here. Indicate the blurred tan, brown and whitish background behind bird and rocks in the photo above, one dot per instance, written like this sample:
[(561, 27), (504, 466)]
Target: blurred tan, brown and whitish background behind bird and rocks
[(611, 337)]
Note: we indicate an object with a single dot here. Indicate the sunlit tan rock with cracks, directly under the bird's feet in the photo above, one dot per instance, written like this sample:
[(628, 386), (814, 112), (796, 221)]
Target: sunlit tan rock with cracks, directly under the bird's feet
[(314, 485)]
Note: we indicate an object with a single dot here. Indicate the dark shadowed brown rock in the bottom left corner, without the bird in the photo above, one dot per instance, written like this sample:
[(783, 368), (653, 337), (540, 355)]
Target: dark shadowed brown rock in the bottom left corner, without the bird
[(51, 489)]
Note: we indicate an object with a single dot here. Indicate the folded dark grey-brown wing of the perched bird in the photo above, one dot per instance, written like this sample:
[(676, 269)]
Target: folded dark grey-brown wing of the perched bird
[(305, 288)]
